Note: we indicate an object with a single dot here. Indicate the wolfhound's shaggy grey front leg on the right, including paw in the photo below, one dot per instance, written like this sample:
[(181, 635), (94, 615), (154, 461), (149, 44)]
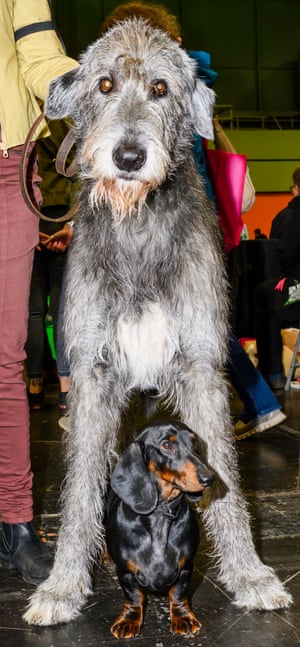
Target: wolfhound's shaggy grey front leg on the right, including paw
[(204, 405)]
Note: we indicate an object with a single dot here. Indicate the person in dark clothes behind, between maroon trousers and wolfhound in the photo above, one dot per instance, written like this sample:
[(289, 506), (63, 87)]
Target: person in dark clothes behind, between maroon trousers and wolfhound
[(48, 265)]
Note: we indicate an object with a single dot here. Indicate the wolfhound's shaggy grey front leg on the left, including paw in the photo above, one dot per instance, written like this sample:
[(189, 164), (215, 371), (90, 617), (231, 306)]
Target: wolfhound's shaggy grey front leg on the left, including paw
[(94, 422)]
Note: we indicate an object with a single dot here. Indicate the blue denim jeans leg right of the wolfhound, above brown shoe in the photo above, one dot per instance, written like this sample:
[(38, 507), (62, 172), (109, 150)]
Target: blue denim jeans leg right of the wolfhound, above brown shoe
[(253, 390)]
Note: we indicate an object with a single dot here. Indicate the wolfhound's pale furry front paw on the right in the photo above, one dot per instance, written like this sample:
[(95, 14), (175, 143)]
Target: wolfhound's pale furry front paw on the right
[(265, 593)]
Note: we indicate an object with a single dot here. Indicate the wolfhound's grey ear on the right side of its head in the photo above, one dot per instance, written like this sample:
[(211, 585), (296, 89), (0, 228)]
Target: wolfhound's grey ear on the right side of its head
[(203, 101)]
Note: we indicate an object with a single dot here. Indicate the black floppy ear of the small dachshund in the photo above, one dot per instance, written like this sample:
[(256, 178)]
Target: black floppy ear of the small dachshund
[(133, 483)]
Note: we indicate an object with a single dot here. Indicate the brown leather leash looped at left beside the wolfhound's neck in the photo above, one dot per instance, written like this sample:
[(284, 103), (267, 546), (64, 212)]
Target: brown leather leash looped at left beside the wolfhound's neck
[(60, 167)]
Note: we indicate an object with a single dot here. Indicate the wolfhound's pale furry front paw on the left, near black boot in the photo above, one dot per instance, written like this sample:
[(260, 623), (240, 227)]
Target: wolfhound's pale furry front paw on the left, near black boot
[(47, 608)]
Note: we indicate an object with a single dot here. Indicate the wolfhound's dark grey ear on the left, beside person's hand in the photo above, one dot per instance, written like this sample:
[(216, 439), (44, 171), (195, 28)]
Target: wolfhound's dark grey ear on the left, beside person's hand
[(63, 95)]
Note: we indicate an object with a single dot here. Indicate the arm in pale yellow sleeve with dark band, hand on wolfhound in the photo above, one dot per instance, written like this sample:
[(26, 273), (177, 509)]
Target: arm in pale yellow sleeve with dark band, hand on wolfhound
[(40, 53)]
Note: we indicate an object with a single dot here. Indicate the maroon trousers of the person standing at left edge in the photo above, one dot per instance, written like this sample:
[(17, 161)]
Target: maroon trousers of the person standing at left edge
[(18, 238)]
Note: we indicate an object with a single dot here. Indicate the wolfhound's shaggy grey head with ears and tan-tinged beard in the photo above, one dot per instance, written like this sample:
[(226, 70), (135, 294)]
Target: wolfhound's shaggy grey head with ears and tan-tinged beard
[(135, 102)]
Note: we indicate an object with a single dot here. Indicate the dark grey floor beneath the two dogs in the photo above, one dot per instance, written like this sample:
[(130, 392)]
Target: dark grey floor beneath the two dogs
[(270, 474)]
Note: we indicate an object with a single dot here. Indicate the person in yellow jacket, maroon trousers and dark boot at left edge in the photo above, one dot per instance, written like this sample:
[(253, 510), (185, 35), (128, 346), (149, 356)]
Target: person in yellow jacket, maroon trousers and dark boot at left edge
[(31, 54)]
